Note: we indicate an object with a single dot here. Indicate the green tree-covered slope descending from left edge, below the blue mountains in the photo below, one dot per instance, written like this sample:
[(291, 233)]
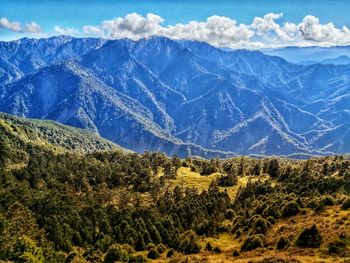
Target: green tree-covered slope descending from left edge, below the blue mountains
[(49, 134)]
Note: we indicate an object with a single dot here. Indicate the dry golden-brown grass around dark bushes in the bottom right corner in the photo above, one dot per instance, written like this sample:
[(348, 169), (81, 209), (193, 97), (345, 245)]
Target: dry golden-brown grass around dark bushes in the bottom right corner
[(331, 223)]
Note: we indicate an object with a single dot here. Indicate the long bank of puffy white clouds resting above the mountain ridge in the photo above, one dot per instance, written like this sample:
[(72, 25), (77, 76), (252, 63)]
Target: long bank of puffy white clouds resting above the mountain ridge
[(267, 31)]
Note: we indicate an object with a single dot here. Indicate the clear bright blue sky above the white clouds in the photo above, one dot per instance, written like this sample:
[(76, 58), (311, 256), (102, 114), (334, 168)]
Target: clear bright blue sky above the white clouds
[(77, 14)]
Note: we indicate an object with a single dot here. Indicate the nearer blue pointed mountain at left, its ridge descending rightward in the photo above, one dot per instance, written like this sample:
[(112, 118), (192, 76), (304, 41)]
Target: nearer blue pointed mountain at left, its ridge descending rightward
[(67, 93)]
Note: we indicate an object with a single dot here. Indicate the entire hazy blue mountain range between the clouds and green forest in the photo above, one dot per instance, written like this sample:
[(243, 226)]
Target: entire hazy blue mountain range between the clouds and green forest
[(180, 97)]
